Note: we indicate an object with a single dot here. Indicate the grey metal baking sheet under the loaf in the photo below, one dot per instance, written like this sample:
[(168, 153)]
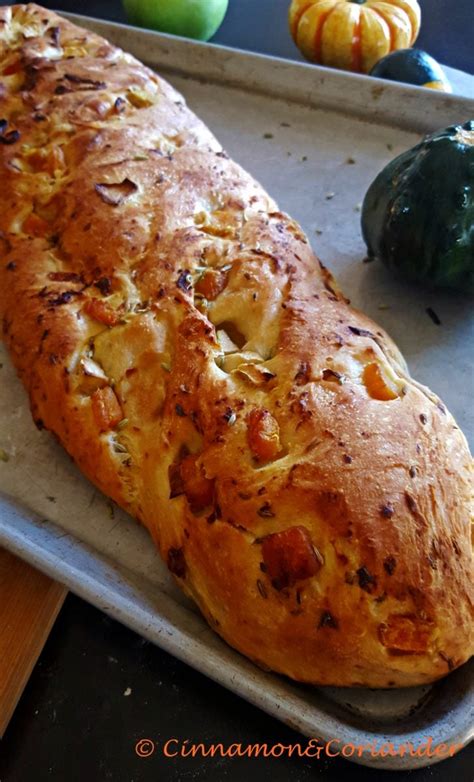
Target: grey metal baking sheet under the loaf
[(315, 138)]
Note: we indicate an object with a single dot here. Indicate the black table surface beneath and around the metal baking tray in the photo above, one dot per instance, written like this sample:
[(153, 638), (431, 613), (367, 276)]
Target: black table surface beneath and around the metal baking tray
[(77, 719)]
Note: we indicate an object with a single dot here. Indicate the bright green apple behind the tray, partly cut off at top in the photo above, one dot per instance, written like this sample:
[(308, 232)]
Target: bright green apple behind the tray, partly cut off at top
[(190, 18)]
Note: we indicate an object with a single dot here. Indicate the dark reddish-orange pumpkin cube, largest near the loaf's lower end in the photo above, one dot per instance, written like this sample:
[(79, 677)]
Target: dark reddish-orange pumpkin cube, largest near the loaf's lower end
[(289, 556)]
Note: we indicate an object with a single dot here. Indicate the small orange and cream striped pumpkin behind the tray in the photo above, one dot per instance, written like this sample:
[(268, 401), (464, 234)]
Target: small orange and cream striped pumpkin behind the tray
[(353, 34)]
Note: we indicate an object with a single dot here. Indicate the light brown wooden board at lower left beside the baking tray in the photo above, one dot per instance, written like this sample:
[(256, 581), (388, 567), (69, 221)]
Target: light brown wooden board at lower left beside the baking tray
[(29, 605)]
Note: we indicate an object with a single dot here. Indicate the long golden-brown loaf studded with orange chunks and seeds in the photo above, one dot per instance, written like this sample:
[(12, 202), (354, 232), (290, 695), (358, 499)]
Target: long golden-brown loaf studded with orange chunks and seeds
[(177, 334)]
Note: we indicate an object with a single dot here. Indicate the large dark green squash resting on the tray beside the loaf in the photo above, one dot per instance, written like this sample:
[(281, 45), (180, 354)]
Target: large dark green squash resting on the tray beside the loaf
[(418, 214)]
